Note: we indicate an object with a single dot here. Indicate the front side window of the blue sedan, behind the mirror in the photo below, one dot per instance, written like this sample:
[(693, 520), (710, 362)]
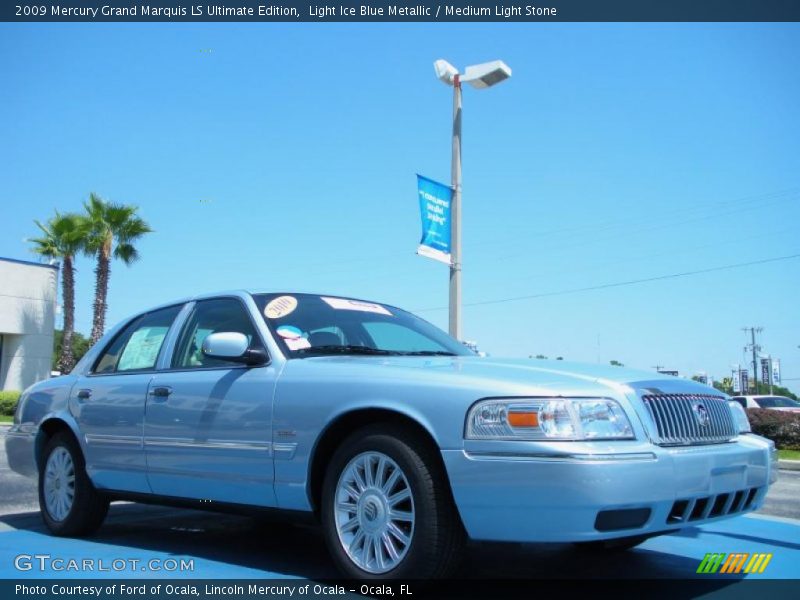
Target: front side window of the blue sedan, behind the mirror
[(211, 316)]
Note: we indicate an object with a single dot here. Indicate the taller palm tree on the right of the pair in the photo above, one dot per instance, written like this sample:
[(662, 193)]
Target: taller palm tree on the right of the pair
[(113, 230)]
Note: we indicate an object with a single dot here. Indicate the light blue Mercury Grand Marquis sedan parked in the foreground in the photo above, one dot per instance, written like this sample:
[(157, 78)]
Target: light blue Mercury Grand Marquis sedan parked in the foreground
[(397, 438)]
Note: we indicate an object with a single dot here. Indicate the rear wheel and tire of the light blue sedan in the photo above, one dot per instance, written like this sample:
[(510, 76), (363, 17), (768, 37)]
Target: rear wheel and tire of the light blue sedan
[(68, 502)]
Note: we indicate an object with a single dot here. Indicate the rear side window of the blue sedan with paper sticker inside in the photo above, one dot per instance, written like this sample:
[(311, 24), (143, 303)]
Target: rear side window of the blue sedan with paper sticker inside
[(137, 347)]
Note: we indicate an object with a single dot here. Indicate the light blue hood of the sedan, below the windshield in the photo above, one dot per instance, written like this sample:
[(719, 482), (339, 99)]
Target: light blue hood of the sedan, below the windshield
[(511, 376)]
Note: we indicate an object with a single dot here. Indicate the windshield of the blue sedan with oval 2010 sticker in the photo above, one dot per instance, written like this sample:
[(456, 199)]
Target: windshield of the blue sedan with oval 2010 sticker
[(310, 325)]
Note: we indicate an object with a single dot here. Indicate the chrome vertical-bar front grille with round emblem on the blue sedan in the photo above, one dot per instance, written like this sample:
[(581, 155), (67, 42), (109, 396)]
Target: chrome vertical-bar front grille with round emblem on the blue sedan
[(686, 419)]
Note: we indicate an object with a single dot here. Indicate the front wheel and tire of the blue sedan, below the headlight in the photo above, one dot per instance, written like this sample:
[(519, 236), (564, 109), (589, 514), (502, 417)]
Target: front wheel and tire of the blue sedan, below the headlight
[(387, 511)]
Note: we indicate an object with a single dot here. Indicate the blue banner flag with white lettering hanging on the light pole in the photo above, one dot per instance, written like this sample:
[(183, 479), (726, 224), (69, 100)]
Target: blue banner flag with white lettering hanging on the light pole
[(434, 206)]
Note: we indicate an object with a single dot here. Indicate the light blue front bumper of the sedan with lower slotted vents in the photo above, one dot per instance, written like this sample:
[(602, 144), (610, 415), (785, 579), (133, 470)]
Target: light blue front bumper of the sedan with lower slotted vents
[(528, 492)]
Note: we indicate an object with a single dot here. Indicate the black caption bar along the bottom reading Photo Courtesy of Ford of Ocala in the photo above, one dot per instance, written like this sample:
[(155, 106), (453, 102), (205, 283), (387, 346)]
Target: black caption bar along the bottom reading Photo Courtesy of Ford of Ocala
[(708, 586)]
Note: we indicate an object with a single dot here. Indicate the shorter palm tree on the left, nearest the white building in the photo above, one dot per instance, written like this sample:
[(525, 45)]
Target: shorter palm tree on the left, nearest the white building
[(63, 237)]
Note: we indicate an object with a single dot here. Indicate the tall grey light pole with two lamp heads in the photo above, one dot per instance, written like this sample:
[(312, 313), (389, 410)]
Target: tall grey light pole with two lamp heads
[(478, 76)]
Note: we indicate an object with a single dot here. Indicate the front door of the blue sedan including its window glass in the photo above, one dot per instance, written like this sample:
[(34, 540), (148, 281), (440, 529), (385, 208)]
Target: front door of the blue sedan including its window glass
[(208, 422)]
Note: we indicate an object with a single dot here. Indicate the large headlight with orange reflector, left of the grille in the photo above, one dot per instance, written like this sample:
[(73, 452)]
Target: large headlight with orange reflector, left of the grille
[(548, 419)]
